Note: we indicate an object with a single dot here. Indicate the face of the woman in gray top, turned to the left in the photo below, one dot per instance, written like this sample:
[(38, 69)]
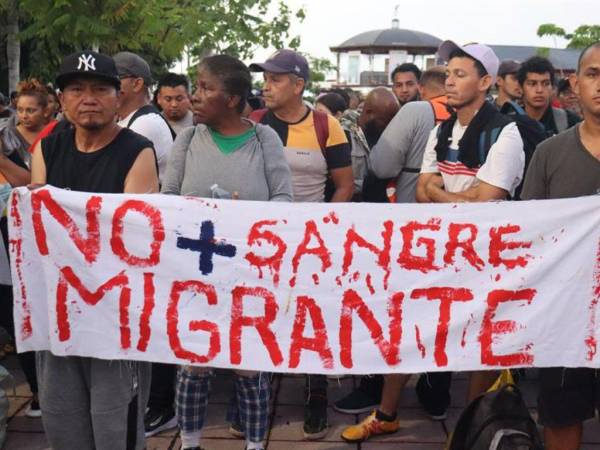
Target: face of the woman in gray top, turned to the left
[(210, 102)]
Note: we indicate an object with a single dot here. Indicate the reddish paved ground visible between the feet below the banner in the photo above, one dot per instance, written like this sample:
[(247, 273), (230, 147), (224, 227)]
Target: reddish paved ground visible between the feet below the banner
[(417, 432)]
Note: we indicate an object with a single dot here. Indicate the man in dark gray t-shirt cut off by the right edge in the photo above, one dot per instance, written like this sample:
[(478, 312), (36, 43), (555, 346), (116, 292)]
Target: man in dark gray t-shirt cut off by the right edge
[(568, 165)]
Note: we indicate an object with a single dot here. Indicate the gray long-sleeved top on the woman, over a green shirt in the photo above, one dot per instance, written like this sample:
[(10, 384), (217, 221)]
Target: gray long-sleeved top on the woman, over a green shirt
[(256, 171)]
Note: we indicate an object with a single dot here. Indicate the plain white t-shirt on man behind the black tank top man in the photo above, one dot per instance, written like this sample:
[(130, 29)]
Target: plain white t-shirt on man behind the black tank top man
[(153, 127)]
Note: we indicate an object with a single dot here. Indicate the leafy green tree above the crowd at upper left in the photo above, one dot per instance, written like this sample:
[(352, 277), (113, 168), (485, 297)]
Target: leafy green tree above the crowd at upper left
[(157, 29)]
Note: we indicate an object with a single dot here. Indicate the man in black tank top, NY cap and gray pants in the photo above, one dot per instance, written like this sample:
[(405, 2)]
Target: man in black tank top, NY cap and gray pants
[(89, 403)]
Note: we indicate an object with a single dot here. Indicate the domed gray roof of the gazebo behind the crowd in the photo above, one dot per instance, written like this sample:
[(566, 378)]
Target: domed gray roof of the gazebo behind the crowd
[(390, 39)]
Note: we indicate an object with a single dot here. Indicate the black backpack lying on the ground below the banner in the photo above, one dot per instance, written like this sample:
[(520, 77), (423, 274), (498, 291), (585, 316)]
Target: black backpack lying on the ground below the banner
[(496, 420)]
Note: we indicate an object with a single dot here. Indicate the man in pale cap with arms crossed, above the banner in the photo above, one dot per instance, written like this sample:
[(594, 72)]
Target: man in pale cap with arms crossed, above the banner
[(478, 154)]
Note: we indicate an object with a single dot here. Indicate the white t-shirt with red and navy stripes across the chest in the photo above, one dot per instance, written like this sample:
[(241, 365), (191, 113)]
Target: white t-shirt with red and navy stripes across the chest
[(503, 167)]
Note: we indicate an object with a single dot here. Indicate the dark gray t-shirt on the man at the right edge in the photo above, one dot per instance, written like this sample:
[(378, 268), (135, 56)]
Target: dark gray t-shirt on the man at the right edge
[(561, 167)]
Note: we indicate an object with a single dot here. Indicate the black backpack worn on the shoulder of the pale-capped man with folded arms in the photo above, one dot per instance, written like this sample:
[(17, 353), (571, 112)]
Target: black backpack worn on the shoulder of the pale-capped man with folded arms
[(532, 132)]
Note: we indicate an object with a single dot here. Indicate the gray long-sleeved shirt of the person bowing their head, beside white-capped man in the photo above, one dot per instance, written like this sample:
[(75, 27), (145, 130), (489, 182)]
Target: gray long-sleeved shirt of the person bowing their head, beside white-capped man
[(399, 151)]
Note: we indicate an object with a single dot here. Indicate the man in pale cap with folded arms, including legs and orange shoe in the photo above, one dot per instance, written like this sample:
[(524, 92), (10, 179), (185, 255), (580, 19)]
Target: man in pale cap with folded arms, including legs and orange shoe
[(451, 172)]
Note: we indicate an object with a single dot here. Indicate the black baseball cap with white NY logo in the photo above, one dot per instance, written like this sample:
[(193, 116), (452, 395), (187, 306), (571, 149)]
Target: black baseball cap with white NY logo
[(87, 64)]
